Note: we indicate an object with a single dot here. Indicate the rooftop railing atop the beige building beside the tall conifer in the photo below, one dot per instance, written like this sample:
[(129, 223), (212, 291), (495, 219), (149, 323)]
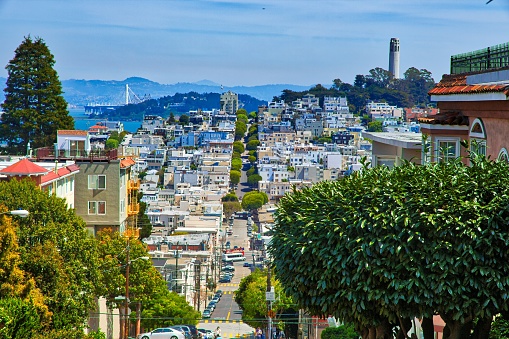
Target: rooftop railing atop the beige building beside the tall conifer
[(48, 153)]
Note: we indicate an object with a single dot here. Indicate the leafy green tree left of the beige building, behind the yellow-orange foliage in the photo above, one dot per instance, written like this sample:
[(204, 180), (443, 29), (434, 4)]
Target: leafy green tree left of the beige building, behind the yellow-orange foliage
[(56, 251)]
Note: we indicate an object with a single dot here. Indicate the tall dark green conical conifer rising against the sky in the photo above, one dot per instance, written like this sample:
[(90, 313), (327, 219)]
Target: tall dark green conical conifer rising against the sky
[(34, 108)]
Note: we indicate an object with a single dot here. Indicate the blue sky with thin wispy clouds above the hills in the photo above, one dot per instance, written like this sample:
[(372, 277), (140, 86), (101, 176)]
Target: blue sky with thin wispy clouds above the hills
[(249, 42)]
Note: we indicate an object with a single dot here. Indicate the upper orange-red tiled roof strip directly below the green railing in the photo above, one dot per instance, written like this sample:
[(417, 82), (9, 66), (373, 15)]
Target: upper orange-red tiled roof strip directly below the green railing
[(457, 84)]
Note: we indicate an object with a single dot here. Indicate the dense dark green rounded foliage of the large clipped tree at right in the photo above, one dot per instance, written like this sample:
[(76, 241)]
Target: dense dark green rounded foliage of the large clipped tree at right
[(411, 241)]
